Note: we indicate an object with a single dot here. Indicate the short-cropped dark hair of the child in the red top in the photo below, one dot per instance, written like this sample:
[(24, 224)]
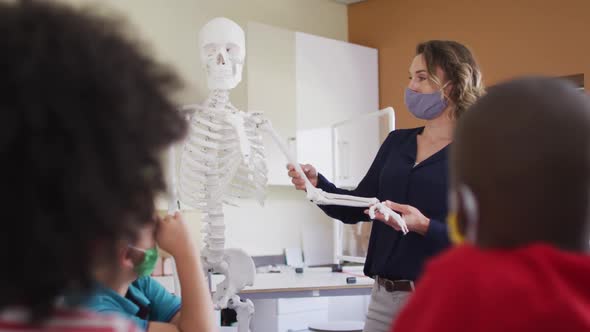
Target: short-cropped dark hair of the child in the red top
[(524, 151)]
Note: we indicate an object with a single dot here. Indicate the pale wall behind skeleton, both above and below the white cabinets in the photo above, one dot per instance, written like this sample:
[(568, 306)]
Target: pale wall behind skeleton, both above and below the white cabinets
[(170, 28)]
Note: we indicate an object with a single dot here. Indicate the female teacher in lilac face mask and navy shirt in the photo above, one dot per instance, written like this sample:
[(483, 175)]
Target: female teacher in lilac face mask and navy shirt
[(410, 172)]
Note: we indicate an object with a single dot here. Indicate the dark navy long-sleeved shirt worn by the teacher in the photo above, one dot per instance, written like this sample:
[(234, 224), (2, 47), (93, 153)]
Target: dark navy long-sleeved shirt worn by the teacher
[(393, 176)]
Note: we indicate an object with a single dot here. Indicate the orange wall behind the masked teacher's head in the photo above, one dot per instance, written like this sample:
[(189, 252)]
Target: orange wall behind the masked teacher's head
[(509, 38)]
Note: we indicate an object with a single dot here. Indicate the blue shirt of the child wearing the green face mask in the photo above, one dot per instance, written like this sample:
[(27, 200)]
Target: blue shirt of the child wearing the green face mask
[(146, 300)]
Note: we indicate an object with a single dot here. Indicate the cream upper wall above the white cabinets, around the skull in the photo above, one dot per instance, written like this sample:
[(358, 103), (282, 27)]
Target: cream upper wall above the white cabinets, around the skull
[(171, 28)]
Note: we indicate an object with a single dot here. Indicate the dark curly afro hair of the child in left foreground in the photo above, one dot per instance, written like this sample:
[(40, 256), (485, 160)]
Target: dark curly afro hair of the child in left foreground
[(85, 114)]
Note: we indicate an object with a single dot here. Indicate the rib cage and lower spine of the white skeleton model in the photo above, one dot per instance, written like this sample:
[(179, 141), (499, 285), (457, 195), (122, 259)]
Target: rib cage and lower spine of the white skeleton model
[(213, 170)]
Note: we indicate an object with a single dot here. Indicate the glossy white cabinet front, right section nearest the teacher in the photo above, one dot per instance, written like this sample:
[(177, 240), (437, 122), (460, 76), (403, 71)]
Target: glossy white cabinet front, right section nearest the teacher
[(336, 81)]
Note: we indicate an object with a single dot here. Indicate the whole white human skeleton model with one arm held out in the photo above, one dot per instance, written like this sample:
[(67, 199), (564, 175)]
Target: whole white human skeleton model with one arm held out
[(223, 159)]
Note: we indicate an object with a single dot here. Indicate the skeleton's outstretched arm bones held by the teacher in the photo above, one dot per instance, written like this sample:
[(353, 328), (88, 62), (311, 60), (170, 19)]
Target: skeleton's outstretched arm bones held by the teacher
[(321, 197)]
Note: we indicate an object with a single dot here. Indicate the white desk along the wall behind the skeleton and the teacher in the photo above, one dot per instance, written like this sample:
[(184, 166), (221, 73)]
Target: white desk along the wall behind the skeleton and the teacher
[(290, 301)]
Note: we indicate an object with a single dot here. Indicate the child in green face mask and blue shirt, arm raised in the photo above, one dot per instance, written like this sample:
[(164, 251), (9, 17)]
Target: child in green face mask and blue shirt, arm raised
[(136, 295)]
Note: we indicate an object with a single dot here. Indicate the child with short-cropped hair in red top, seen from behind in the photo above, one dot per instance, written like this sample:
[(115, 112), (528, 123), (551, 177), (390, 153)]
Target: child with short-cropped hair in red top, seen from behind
[(520, 171)]
